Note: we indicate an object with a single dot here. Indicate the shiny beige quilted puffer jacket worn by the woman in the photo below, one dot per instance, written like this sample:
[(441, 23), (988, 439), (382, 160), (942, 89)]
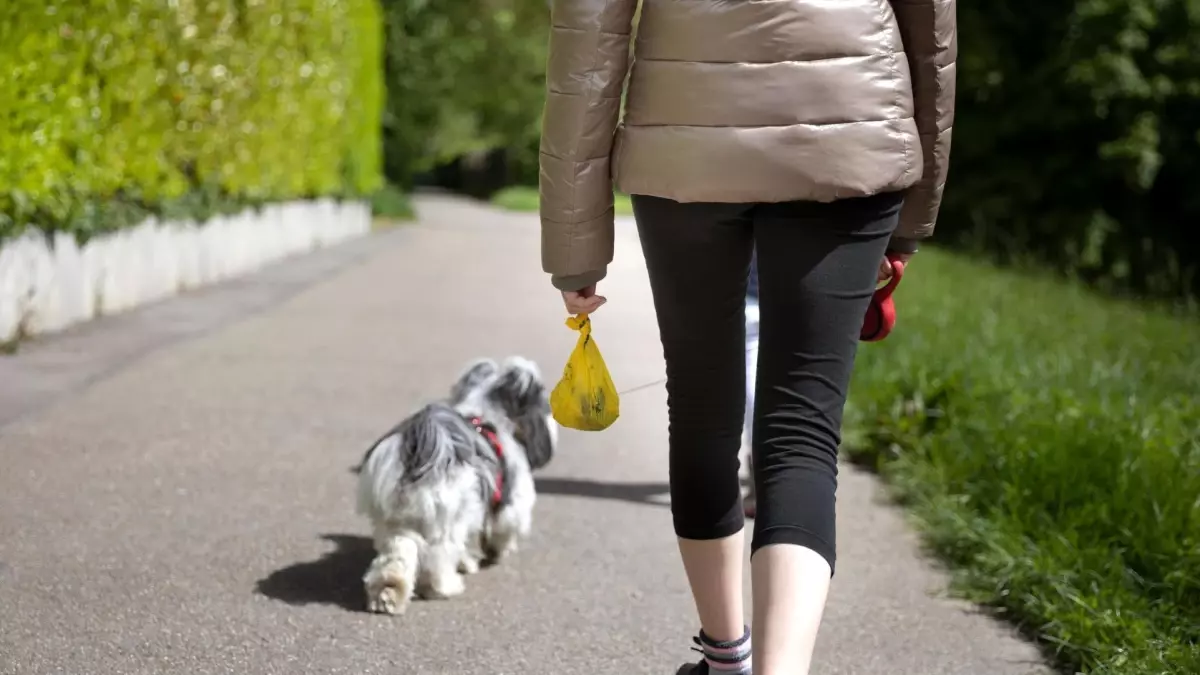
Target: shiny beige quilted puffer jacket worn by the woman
[(742, 101)]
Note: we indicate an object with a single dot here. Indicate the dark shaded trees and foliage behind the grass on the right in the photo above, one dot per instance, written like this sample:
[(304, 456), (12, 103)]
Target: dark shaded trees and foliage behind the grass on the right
[(1076, 140)]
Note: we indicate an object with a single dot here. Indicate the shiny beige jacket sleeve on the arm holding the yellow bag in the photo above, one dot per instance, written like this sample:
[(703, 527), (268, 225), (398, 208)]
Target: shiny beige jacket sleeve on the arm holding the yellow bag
[(586, 74)]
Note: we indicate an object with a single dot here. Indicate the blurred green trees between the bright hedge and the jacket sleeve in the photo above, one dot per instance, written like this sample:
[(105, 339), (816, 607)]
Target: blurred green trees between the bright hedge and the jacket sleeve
[(463, 76)]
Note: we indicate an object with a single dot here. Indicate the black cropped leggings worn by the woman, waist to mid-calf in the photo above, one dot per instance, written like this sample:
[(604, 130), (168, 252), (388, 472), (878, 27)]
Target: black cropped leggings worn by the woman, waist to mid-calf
[(818, 265)]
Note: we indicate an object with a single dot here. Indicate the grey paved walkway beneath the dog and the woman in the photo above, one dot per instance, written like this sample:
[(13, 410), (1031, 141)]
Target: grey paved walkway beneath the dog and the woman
[(176, 493)]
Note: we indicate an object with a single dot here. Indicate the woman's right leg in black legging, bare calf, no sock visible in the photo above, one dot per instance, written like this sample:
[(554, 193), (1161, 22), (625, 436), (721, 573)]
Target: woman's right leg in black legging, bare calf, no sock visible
[(818, 266)]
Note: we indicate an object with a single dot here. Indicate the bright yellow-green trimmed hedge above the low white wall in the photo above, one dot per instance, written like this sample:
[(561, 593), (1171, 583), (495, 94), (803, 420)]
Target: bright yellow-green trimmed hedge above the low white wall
[(115, 109)]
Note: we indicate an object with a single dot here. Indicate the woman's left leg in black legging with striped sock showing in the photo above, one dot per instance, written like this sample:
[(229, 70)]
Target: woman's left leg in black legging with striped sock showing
[(698, 258)]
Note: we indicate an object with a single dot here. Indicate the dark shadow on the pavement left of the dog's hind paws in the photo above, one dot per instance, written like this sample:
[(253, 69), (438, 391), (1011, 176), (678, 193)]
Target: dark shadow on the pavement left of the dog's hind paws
[(335, 578)]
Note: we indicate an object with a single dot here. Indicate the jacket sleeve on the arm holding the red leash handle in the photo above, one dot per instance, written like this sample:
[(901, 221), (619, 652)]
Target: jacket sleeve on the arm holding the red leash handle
[(929, 29)]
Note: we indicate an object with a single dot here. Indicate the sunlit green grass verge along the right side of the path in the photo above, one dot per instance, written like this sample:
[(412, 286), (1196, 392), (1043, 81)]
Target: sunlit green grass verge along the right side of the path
[(1048, 444)]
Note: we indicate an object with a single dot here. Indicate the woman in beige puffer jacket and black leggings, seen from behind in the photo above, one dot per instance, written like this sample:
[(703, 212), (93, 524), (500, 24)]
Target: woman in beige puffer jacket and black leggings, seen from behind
[(817, 133)]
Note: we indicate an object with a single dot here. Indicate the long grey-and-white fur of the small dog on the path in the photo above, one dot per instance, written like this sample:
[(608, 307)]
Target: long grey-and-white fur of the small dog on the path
[(428, 486)]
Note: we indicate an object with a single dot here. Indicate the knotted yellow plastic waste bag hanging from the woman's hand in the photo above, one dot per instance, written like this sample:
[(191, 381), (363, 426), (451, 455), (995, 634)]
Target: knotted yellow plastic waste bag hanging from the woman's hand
[(585, 398)]
